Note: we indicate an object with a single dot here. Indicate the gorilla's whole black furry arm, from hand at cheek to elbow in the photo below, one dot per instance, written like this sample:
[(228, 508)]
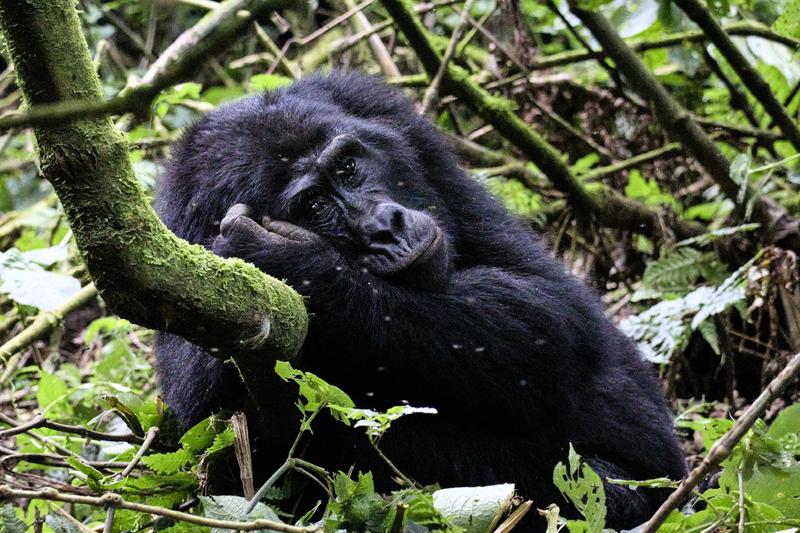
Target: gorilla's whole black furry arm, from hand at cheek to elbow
[(494, 346)]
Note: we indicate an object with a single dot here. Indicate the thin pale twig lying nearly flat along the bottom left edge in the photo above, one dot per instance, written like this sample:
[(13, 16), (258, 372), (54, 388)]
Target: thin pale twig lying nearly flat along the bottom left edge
[(116, 500)]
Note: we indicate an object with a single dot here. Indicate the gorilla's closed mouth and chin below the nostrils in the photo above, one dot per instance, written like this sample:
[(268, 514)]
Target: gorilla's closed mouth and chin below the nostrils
[(389, 260)]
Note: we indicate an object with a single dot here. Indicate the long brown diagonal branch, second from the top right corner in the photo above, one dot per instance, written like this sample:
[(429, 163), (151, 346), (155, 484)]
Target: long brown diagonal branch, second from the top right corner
[(777, 224)]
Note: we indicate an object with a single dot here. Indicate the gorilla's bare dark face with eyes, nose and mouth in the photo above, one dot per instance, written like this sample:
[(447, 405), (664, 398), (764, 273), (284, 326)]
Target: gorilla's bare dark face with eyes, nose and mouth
[(353, 194)]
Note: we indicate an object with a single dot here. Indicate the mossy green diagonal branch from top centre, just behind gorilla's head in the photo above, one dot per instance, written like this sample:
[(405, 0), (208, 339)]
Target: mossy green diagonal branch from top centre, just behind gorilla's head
[(606, 206)]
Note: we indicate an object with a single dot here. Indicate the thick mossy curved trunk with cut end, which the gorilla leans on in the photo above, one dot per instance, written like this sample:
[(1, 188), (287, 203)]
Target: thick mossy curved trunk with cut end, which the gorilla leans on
[(144, 272)]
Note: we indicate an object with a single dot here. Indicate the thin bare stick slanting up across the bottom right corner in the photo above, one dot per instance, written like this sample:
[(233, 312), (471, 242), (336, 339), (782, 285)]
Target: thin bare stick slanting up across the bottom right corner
[(722, 448)]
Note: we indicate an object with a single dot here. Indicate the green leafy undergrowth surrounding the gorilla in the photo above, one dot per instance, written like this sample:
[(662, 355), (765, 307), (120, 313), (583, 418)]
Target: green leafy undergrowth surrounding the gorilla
[(716, 311)]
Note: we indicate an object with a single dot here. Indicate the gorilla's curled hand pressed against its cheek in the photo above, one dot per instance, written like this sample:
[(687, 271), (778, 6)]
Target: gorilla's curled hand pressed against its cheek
[(278, 248)]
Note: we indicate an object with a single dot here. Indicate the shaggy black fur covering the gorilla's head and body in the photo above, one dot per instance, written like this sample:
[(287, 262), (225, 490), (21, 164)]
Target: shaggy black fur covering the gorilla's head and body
[(516, 355)]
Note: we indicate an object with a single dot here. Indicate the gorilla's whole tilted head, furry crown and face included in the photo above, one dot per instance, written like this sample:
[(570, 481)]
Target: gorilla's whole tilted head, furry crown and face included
[(353, 180)]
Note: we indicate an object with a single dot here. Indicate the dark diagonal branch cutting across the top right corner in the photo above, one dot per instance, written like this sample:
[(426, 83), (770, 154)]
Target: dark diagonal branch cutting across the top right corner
[(746, 72)]
